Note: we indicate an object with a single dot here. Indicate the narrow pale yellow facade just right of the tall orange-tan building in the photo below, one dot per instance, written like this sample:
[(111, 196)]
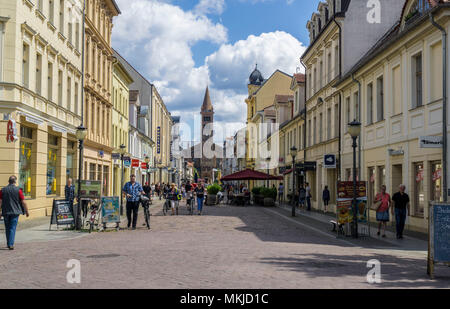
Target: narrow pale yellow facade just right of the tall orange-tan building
[(120, 124)]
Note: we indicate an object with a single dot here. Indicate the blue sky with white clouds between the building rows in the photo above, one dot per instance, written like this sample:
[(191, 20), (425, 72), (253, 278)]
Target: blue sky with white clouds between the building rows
[(183, 46)]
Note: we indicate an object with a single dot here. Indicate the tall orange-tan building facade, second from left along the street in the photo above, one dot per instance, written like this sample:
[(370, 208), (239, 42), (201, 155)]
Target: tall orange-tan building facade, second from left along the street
[(98, 92)]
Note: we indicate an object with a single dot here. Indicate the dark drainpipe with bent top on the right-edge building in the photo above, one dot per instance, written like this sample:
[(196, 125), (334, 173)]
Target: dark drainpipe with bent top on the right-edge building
[(444, 106)]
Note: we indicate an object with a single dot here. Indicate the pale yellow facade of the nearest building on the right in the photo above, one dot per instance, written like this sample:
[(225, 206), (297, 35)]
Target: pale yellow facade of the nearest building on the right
[(401, 101)]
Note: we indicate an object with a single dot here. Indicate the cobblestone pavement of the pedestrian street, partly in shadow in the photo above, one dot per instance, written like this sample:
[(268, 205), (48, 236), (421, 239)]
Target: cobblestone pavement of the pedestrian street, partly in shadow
[(227, 247)]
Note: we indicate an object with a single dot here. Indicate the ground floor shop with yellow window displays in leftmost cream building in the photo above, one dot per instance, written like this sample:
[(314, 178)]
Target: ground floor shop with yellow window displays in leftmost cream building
[(43, 157)]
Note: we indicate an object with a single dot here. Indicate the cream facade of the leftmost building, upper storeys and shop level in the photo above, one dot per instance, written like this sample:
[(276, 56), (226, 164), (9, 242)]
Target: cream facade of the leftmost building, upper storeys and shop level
[(40, 97)]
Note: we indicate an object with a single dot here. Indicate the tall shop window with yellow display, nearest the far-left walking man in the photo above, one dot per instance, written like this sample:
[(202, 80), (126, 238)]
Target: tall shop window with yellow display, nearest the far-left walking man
[(25, 163)]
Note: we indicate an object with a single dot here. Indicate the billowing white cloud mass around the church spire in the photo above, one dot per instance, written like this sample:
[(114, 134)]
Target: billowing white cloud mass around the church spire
[(157, 38)]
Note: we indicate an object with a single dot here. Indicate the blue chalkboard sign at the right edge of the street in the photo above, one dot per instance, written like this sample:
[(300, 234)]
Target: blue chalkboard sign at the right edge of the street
[(440, 233)]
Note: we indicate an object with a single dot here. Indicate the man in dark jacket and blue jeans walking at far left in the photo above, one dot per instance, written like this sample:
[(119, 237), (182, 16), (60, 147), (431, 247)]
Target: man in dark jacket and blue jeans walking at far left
[(12, 204)]
